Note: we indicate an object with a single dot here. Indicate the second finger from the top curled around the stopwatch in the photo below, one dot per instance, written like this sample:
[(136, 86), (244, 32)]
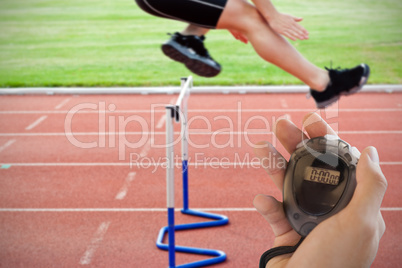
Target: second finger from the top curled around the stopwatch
[(288, 134)]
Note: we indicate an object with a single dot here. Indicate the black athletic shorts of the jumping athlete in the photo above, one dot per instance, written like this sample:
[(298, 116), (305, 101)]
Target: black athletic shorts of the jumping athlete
[(204, 13)]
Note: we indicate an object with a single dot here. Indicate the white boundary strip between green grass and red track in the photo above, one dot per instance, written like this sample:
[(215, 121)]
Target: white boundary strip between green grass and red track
[(175, 90)]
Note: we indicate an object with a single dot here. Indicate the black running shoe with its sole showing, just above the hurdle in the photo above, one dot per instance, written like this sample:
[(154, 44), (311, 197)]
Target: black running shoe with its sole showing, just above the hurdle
[(190, 50)]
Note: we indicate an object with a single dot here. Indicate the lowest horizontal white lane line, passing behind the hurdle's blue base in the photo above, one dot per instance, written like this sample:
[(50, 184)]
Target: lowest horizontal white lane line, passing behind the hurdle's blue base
[(63, 210)]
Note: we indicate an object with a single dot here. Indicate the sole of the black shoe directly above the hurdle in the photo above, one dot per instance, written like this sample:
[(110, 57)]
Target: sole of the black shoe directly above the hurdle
[(194, 64)]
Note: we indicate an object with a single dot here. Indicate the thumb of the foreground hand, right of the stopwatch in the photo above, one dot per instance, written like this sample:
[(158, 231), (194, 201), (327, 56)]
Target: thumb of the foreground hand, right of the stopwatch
[(371, 184)]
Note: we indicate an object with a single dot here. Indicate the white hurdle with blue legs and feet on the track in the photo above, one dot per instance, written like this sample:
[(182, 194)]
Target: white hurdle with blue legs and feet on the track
[(178, 113)]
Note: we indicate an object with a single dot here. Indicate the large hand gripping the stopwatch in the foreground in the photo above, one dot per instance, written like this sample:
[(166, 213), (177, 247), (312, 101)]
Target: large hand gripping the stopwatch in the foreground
[(336, 242)]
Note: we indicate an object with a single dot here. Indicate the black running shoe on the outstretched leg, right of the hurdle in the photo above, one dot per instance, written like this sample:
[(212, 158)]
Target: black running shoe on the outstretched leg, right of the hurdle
[(342, 82)]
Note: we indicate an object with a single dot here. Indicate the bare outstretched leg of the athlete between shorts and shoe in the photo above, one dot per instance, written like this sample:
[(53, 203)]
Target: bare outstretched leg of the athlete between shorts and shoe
[(242, 16)]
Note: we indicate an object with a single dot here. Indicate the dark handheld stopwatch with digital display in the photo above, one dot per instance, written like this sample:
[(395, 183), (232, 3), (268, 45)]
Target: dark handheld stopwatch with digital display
[(320, 180)]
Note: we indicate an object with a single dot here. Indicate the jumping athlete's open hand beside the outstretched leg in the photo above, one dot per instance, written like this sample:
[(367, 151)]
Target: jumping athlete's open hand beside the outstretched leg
[(288, 25)]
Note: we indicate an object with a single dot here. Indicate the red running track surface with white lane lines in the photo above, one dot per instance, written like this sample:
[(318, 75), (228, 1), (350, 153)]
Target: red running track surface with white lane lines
[(67, 206)]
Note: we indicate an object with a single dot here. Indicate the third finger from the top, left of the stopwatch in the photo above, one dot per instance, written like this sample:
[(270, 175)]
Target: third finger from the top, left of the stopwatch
[(272, 161)]
